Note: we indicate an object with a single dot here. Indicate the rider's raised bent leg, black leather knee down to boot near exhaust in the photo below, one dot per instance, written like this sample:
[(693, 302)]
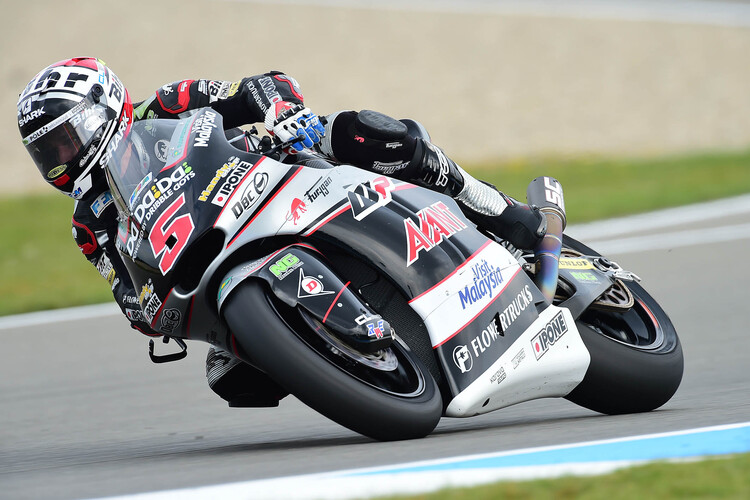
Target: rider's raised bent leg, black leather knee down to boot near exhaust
[(402, 149)]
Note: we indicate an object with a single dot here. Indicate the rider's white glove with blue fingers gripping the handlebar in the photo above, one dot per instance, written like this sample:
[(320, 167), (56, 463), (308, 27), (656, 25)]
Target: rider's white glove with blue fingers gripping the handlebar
[(287, 121)]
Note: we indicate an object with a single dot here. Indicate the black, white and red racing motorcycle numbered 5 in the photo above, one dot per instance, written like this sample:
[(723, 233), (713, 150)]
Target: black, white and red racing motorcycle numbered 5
[(374, 301)]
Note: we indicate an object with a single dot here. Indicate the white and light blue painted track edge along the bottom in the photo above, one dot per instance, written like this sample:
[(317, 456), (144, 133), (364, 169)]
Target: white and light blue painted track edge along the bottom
[(587, 458)]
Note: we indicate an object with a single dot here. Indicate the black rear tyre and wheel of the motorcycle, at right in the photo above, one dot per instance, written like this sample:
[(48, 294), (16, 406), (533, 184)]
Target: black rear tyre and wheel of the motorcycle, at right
[(636, 357)]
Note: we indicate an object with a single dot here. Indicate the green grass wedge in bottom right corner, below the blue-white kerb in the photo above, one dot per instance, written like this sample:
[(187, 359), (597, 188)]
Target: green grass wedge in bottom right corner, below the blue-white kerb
[(710, 479)]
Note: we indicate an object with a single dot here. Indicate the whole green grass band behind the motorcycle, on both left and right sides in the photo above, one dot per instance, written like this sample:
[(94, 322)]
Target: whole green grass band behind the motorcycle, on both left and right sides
[(41, 267)]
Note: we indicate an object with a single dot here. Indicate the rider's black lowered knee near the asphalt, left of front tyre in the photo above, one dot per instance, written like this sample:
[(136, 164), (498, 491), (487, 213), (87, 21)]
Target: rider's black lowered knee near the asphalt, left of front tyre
[(240, 384)]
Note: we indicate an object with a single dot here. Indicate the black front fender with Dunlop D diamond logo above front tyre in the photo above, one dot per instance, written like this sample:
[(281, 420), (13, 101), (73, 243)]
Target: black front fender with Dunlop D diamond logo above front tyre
[(298, 276)]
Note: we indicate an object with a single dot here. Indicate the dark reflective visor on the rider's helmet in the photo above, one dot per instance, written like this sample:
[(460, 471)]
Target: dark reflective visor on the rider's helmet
[(55, 146)]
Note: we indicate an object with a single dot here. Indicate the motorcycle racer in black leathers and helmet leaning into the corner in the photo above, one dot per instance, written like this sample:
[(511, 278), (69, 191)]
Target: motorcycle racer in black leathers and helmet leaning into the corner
[(73, 114)]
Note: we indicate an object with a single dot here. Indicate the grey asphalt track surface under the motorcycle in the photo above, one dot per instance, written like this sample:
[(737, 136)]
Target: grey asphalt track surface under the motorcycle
[(86, 414)]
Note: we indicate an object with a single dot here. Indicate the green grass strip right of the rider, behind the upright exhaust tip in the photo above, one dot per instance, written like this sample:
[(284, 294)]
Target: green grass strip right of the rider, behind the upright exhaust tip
[(597, 188)]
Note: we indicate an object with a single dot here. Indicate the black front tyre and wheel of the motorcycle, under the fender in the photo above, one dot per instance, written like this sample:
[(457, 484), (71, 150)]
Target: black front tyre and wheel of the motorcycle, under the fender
[(388, 395)]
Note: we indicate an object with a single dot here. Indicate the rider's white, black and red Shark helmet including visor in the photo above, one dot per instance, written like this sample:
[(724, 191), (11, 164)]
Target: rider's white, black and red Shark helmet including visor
[(71, 116)]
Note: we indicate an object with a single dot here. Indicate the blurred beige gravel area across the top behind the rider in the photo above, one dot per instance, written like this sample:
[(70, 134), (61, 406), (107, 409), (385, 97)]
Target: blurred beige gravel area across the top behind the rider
[(492, 81)]
